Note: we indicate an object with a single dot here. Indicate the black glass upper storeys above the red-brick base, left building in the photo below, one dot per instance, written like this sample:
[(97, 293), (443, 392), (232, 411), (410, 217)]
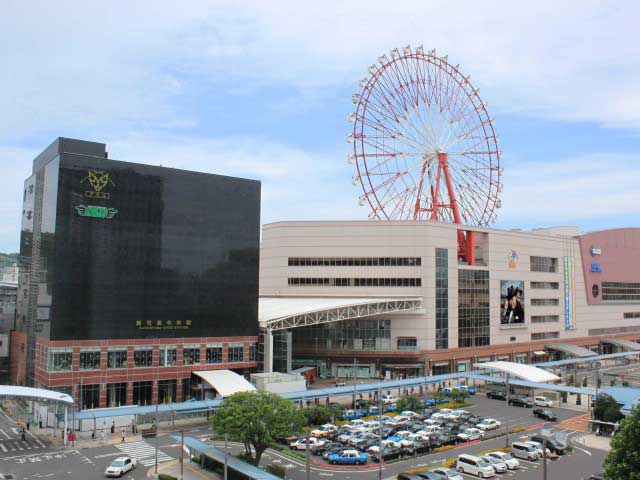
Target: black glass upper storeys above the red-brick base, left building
[(115, 250)]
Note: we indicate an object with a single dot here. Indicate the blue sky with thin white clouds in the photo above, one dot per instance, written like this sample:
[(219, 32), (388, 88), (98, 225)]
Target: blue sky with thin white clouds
[(262, 90)]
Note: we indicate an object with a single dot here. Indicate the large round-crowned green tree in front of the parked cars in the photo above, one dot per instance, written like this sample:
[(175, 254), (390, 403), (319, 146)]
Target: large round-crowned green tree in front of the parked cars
[(256, 419)]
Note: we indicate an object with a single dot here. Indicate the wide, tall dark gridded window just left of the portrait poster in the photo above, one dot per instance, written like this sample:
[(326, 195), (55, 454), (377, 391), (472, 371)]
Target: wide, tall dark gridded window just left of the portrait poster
[(473, 308)]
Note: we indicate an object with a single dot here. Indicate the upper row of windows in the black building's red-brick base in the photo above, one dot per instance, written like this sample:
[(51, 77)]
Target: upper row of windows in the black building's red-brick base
[(167, 357)]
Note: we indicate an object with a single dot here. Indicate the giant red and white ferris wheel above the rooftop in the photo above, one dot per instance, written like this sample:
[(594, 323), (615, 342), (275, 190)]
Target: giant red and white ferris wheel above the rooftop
[(423, 143)]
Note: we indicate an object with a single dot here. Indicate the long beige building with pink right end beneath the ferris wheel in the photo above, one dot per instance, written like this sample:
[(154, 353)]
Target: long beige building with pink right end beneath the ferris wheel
[(394, 299)]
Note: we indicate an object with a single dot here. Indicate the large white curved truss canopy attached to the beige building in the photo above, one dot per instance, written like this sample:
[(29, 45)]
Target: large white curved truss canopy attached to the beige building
[(282, 313)]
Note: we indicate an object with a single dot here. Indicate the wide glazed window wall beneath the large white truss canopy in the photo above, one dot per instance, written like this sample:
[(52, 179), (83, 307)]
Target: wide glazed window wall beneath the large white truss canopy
[(356, 334)]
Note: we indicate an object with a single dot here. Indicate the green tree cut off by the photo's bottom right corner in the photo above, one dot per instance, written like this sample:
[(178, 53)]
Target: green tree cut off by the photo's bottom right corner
[(623, 460)]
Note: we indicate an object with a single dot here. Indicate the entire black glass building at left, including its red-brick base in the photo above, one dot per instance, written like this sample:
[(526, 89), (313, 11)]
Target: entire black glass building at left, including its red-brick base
[(132, 277)]
